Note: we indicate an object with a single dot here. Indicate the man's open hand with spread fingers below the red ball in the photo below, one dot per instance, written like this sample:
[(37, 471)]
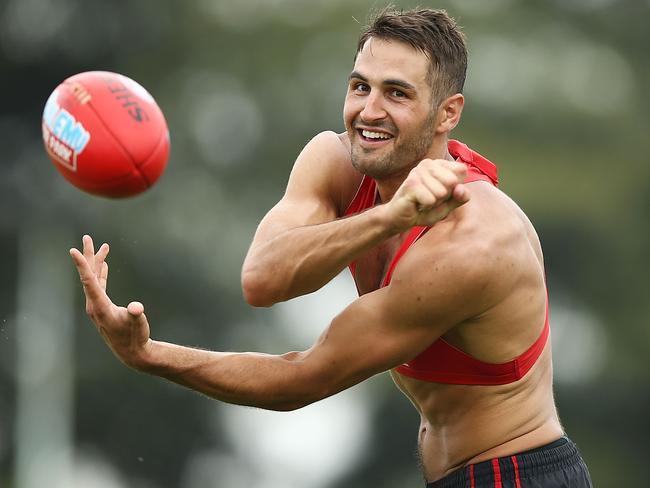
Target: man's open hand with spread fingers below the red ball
[(125, 330)]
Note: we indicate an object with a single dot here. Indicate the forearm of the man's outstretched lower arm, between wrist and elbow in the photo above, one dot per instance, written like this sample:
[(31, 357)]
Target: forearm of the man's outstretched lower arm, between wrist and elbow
[(253, 379)]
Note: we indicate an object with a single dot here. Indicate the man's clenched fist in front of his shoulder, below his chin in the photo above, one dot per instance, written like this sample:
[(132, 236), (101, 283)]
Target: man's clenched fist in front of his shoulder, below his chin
[(428, 194)]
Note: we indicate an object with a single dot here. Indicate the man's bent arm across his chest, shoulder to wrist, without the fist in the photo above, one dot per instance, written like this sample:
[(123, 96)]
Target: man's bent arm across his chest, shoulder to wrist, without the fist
[(300, 245)]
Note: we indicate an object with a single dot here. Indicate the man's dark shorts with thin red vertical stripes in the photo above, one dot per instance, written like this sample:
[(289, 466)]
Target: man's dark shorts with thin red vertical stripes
[(555, 465)]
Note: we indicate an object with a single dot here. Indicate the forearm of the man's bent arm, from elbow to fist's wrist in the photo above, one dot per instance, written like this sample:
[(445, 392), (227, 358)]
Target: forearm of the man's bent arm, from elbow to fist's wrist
[(303, 259)]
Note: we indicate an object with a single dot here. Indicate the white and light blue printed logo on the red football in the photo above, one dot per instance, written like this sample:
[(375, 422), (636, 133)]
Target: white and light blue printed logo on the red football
[(64, 137)]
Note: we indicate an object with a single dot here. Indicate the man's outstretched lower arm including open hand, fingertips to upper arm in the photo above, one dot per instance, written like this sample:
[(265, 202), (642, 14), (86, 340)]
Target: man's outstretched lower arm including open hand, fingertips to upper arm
[(375, 333)]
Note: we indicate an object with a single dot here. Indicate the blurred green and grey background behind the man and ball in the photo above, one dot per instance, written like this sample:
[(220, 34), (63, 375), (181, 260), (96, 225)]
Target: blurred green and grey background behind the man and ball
[(556, 96)]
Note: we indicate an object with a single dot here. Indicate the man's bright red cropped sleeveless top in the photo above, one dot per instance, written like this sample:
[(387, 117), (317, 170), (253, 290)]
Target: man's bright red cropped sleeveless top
[(442, 362)]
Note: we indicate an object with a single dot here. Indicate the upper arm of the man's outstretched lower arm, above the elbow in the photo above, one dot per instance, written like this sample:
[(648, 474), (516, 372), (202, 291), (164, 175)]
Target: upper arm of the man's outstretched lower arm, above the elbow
[(394, 324)]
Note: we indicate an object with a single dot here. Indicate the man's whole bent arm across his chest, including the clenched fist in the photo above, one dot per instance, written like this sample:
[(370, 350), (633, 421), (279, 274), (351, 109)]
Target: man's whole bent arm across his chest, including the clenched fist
[(300, 244)]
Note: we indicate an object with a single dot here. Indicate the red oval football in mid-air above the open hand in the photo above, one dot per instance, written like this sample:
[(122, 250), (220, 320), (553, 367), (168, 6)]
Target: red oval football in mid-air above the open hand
[(105, 134)]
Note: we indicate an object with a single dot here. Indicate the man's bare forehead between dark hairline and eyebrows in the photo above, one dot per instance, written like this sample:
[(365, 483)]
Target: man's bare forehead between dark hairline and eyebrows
[(383, 59)]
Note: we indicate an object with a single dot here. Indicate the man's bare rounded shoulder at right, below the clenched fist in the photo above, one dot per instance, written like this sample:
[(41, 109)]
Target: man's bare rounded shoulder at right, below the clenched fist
[(481, 250)]
